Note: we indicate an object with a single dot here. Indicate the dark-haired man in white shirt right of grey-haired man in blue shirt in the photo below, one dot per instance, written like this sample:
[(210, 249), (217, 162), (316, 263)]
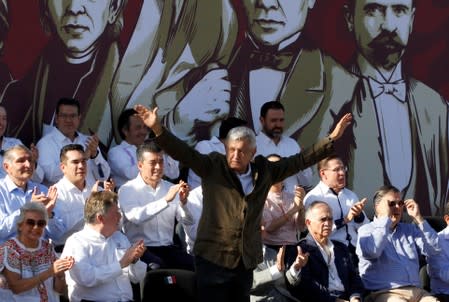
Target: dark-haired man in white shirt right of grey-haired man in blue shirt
[(73, 191)]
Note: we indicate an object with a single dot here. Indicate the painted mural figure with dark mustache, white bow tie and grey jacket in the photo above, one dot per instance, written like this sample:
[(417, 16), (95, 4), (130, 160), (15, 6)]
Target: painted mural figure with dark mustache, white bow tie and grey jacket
[(400, 124)]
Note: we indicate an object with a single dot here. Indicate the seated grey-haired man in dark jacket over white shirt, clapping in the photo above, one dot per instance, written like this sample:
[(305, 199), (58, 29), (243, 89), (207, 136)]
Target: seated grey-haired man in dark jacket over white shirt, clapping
[(329, 274)]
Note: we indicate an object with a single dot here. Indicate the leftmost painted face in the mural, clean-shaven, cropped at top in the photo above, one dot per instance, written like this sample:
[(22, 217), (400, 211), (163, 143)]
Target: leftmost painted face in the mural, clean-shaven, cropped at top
[(80, 23)]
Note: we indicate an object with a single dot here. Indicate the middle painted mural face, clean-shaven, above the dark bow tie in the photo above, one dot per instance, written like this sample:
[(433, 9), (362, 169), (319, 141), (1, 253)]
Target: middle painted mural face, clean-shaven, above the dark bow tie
[(272, 21)]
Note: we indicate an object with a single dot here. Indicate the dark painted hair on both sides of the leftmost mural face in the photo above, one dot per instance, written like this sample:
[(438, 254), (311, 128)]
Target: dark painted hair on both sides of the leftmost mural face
[(112, 31)]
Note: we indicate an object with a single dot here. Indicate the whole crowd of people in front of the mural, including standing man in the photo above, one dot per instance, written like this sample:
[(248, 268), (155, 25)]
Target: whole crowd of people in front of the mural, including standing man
[(86, 227)]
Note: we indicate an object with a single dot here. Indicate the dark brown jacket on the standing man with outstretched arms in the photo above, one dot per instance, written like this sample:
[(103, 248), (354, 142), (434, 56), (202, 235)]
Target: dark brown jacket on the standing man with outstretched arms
[(229, 227)]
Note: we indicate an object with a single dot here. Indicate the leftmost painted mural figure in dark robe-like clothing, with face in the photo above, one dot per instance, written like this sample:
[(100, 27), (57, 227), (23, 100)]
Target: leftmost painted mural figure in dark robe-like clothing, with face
[(78, 61)]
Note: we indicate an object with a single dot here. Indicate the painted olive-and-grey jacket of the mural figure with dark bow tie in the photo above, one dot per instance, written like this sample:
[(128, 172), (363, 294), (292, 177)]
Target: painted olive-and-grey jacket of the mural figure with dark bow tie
[(314, 89)]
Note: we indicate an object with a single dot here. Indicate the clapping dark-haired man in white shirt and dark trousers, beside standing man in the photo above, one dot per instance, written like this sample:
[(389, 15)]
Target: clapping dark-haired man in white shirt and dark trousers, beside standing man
[(151, 205)]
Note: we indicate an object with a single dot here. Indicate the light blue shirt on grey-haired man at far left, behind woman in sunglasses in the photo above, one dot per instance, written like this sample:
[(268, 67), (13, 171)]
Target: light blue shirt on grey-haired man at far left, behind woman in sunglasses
[(12, 198)]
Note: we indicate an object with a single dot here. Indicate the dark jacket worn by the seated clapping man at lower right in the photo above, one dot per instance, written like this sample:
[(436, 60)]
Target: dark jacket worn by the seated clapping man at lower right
[(313, 282)]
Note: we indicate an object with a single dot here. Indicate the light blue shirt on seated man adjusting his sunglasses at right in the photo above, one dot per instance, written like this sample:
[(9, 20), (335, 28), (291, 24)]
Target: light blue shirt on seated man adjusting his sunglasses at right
[(390, 258)]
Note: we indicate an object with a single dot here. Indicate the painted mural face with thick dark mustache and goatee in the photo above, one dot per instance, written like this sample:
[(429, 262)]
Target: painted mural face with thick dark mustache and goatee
[(382, 29)]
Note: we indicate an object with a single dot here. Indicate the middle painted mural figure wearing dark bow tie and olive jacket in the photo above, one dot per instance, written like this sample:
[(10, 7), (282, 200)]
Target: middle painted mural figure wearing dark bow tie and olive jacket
[(276, 62)]
